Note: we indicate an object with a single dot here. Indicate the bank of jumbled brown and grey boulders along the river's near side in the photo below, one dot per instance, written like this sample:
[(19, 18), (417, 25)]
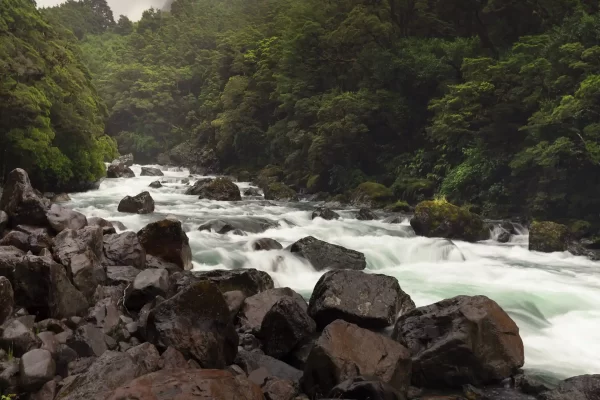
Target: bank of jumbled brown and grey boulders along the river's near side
[(91, 313)]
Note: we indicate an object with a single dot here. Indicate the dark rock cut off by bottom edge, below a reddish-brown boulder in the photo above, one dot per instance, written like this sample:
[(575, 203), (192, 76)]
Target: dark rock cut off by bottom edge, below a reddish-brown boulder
[(360, 387)]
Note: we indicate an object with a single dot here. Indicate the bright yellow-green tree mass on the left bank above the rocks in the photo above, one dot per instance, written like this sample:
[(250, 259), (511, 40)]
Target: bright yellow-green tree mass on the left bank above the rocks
[(51, 118)]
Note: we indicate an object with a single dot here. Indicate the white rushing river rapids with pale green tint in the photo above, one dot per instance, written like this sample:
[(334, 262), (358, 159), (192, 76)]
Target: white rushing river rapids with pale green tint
[(554, 298)]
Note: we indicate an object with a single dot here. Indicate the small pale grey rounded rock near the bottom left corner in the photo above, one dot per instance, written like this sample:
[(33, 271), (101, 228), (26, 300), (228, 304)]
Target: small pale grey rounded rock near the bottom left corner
[(36, 368)]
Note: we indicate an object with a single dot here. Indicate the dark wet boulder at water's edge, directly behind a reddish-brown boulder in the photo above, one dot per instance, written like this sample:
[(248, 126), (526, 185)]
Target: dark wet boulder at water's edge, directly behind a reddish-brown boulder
[(371, 301)]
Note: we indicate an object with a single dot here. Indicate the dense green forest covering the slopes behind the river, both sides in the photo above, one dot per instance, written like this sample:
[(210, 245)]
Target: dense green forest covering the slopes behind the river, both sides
[(492, 104)]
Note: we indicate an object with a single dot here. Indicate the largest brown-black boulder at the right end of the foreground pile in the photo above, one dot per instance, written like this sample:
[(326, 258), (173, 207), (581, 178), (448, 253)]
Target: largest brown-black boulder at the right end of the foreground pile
[(458, 341)]
